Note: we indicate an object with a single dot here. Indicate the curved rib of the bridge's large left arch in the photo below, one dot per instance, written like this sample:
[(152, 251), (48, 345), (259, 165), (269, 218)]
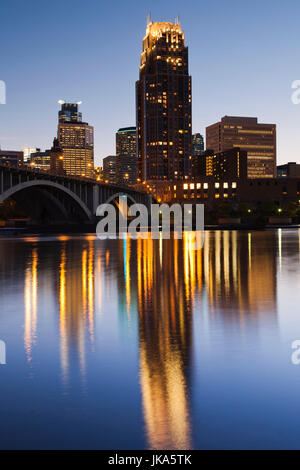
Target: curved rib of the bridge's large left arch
[(47, 184)]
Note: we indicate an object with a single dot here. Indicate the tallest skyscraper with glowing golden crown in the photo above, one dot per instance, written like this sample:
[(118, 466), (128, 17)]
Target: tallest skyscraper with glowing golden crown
[(163, 99)]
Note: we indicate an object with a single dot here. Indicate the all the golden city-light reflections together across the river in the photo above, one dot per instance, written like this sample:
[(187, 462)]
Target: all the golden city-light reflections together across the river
[(161, 285)]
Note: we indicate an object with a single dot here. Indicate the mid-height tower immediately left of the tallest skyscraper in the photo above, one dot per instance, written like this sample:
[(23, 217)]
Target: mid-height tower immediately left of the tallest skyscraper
[(126, 162)]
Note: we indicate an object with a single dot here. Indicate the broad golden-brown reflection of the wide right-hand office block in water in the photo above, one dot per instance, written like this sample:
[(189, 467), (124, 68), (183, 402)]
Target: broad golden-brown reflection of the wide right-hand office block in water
[(239, 276)]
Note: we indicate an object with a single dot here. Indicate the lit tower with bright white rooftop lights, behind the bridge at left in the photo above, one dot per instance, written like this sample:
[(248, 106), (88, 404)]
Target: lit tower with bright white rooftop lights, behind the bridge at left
[(76, 139)]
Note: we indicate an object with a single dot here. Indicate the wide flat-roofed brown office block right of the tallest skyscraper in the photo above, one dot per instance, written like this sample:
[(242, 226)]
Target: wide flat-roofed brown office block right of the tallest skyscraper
[(258, 140)]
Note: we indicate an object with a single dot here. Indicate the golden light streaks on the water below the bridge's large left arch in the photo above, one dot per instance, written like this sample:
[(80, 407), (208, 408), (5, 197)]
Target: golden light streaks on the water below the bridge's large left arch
[(74, 285)]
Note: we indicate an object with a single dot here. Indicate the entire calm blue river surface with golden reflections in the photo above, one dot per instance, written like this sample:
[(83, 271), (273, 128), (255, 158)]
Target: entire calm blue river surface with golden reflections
[(148, 343)]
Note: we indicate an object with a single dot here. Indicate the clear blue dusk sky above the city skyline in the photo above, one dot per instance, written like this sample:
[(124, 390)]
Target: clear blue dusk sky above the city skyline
[(243, 58)]
